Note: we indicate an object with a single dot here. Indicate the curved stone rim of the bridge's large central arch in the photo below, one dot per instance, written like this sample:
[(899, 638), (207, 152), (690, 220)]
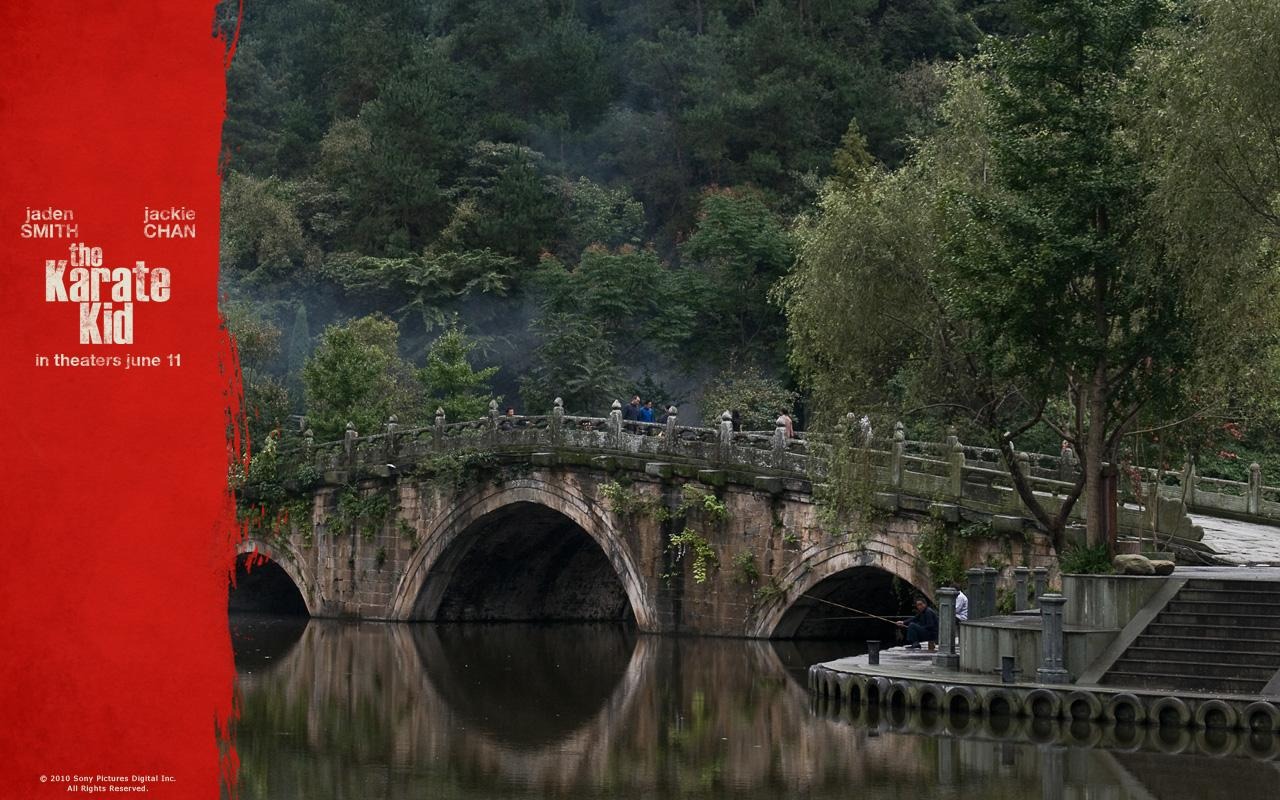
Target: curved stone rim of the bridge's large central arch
[(431, 572)]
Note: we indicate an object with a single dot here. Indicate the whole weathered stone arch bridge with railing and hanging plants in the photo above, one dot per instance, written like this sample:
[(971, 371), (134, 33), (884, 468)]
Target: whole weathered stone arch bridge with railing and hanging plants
[(561, 518)]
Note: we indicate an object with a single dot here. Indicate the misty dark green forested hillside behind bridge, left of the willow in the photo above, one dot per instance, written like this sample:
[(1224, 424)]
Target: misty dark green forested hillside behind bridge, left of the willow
[(601, 193)]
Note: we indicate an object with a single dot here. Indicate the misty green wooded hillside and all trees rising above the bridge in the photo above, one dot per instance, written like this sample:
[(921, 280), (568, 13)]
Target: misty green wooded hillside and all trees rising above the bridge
[(1036, 222)]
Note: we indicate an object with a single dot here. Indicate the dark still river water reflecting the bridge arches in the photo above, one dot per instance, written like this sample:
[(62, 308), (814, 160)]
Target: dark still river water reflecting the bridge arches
[(350, 711)]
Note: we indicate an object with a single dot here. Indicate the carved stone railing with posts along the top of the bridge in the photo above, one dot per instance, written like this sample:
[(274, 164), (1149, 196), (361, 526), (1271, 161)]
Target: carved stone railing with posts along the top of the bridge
[(940, 470)]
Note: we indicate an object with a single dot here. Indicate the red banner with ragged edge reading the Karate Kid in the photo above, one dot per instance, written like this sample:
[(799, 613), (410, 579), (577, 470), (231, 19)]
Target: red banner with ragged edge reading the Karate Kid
[(117, 670)]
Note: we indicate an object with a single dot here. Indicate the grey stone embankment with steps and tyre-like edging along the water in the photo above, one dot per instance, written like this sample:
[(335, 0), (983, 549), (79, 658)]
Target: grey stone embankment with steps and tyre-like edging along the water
[(1197, 651)]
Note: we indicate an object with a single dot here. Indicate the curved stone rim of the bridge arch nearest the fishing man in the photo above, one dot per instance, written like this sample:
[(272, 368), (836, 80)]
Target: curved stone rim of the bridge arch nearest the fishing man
[(825, 572)]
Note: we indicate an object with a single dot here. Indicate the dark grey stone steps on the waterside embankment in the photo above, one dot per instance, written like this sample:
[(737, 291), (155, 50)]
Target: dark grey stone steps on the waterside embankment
[(1215, 637)]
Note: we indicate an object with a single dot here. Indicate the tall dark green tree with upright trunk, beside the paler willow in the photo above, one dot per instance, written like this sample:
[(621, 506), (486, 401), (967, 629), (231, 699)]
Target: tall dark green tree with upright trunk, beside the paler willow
[(1049, 266)]
